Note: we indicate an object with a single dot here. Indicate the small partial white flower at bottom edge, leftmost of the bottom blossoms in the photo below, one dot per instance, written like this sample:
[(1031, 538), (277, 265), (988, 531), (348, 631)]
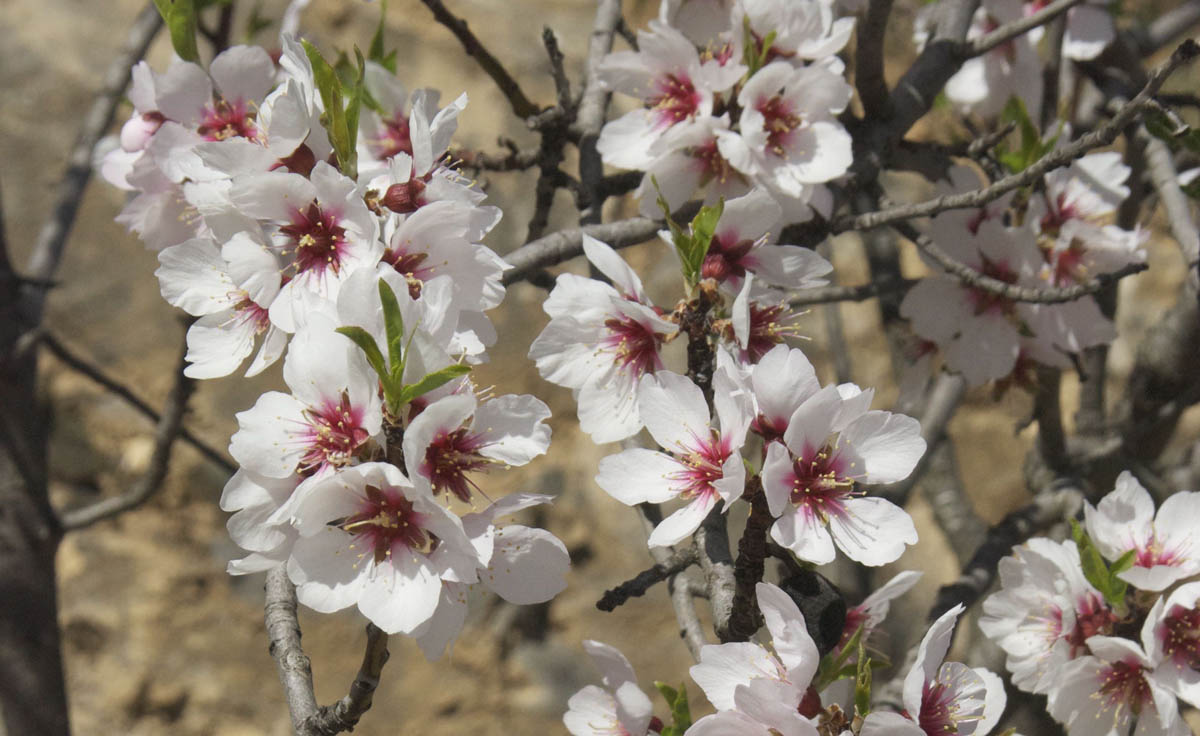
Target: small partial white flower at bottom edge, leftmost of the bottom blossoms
[(619, 708)]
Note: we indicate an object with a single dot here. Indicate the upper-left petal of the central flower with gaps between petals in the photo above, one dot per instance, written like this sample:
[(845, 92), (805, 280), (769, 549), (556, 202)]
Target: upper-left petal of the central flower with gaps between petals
[(674, 410)]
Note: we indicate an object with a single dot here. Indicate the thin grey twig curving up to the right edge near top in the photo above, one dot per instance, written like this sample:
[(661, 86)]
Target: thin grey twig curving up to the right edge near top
[(1102, 136)]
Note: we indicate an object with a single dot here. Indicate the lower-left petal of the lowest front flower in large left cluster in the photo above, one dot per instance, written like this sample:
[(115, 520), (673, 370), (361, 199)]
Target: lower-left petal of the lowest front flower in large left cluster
[(328, 575)]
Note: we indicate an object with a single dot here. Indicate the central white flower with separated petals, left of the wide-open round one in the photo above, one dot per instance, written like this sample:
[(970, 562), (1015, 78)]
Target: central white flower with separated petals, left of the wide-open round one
[(701, 464)]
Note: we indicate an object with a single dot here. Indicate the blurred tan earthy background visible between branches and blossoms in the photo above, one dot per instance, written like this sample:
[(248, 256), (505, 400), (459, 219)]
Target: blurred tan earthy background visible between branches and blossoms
[(158, 638)]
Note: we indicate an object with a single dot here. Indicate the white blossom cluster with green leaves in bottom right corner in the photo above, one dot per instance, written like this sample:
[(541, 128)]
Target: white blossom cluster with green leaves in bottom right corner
[(1109, 629)]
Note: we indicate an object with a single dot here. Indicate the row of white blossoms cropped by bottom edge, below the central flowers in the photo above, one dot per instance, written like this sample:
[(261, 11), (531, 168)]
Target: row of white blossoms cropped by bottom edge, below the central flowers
[(787, 689)]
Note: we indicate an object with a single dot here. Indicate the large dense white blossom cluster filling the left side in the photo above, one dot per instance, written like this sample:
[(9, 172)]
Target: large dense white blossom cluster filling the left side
[(355, 255)]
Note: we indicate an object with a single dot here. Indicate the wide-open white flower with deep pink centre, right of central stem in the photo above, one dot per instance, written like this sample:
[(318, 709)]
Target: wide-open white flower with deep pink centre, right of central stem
[(833, 442)]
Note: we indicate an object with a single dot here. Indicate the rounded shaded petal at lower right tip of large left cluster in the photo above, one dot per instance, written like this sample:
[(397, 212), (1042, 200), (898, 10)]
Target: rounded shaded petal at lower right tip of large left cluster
[(529, 566)]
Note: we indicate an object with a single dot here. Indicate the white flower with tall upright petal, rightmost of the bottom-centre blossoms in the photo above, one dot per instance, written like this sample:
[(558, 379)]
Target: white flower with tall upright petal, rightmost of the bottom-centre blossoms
[(943, 697)]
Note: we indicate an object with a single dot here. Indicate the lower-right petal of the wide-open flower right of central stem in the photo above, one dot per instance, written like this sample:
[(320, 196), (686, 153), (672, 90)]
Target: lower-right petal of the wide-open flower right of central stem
[(873, 531)]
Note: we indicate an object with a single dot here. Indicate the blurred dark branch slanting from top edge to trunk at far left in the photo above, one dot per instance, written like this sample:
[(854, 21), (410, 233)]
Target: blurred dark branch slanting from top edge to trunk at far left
[(52, 238)]
